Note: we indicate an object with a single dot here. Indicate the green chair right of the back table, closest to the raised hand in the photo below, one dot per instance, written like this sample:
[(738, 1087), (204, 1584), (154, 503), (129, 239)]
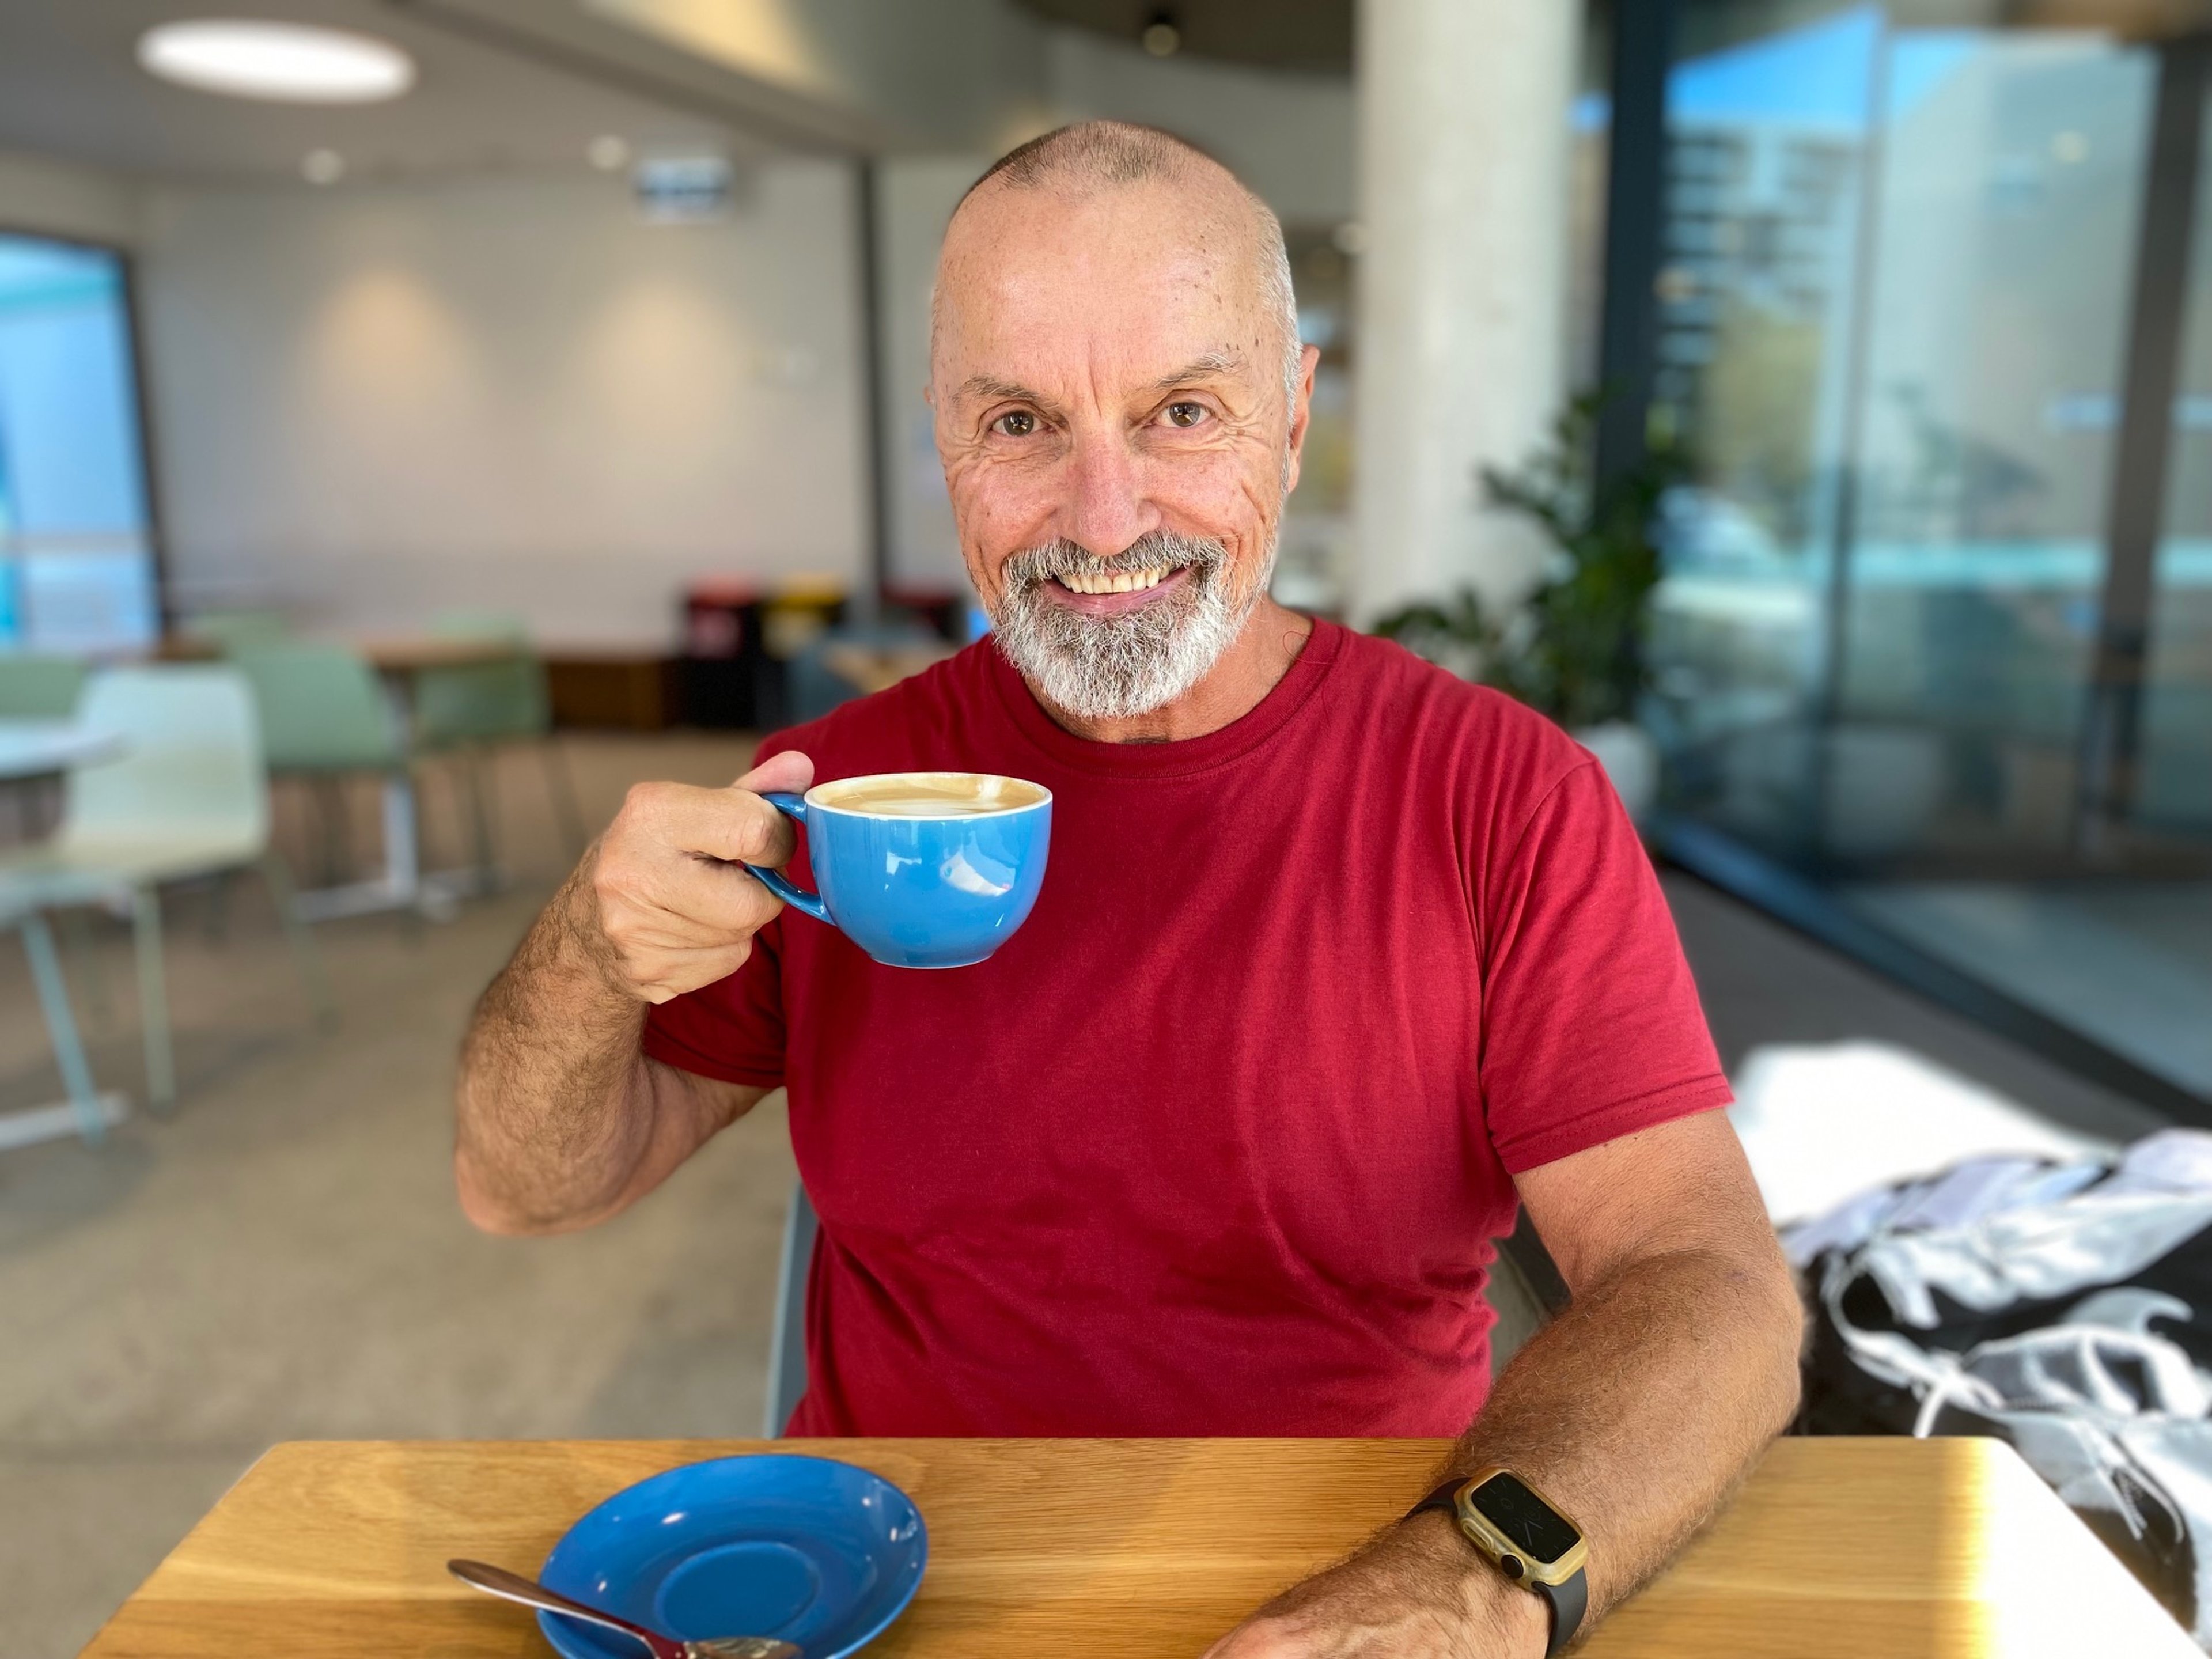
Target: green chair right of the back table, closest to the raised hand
[(468, 711)]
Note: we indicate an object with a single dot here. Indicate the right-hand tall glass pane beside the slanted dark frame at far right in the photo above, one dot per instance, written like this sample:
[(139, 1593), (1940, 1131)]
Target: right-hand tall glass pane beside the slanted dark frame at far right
[(1985, 428)]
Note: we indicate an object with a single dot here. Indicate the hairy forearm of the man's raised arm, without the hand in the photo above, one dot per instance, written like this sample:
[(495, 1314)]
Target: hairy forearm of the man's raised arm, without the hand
[(554, 1112)]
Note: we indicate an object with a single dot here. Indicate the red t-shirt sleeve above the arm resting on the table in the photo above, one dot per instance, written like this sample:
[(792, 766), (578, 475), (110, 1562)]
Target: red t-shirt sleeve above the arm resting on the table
[(1592, 1023)]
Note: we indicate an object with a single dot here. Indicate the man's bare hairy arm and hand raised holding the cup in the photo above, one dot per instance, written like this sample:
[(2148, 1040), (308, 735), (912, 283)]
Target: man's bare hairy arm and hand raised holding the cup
[(561, 1118)]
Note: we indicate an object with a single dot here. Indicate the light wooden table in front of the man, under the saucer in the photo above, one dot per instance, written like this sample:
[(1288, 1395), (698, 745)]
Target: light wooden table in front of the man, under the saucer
[(1149, 1547)]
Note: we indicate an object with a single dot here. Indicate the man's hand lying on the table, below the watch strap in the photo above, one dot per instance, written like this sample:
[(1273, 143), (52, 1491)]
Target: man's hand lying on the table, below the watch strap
[(1415, 1594)]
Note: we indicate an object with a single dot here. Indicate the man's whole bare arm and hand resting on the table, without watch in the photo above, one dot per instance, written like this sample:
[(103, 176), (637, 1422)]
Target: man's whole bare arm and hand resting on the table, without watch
[(1638, 1410)]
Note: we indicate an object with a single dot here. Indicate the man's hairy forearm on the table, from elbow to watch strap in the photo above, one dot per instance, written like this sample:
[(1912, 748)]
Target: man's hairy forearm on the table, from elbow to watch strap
[(1645, 1404)]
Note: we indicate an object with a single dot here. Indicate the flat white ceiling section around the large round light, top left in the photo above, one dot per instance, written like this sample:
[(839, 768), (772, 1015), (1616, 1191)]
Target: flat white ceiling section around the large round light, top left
[(72, 87)]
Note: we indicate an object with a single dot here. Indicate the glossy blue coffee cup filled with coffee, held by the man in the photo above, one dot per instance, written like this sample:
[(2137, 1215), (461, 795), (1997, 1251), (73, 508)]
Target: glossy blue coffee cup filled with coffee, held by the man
[(921, 868)]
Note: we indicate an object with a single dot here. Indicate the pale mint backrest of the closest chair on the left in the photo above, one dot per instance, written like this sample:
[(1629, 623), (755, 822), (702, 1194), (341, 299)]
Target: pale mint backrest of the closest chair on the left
[(191, 762)]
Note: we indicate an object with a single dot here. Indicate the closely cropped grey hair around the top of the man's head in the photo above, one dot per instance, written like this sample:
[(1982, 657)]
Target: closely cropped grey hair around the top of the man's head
[(1089, 158)]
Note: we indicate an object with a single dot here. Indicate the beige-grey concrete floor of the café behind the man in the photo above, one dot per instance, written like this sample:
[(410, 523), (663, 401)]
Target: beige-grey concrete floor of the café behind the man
[(284, 1258)]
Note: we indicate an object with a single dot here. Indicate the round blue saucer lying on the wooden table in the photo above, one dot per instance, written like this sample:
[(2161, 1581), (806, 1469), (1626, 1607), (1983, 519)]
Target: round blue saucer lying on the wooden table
[(806, 1550)]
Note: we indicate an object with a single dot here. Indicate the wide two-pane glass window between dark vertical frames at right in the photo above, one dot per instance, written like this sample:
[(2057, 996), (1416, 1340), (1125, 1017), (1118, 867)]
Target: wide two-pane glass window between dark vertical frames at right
[(1892, 331)]
